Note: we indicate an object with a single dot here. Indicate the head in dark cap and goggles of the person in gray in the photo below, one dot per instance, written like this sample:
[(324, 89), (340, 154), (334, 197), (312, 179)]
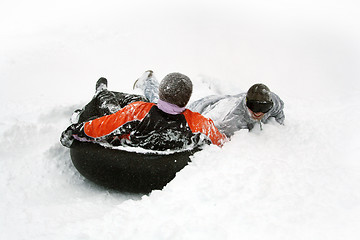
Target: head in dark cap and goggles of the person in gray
[(258, 100)]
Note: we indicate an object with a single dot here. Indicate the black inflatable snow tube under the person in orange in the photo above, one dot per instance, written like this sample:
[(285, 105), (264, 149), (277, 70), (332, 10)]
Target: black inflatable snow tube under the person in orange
[(127, 171)]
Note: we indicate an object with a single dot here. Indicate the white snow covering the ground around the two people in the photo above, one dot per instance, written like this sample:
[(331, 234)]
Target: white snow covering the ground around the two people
[(298, 181)]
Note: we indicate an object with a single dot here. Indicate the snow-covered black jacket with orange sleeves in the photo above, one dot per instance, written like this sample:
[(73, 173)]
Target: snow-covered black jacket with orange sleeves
[(143, 124)]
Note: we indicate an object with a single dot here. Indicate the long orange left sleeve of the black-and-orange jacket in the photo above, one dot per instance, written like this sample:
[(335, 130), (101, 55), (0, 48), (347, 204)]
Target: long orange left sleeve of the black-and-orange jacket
[(105, 125)]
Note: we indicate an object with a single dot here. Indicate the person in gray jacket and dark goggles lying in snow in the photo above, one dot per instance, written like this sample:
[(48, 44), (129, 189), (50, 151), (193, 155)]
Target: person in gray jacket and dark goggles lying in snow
[(231, 113)]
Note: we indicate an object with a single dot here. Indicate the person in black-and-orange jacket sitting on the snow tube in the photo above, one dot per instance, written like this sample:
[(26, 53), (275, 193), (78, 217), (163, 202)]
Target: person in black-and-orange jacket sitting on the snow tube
[(130, 120)]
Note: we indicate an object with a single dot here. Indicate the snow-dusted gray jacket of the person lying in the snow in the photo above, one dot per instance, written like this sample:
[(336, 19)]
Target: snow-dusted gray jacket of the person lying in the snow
[(230, 114)]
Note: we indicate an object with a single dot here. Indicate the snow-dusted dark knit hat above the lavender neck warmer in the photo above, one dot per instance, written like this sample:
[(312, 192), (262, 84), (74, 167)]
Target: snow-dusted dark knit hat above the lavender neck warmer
[(176, 88)]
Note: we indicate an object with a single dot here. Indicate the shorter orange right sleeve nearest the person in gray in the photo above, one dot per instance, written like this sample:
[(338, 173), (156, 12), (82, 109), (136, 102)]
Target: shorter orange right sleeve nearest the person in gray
[(199, 123)]
